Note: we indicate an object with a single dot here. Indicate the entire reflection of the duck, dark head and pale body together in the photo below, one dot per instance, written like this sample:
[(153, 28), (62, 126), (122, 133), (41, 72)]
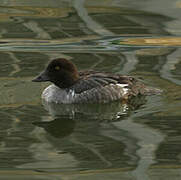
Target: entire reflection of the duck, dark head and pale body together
[(65, 116)]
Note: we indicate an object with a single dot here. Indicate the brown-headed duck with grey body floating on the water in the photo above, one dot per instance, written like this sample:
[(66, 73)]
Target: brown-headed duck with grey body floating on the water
[(70, 86)]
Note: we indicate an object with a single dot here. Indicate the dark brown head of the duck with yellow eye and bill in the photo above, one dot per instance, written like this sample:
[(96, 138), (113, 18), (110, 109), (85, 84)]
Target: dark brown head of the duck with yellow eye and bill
[(62, 72)]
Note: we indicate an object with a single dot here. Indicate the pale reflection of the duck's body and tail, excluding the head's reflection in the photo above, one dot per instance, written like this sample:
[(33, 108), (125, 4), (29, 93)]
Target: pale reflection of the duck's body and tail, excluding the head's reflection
[(102, 112)]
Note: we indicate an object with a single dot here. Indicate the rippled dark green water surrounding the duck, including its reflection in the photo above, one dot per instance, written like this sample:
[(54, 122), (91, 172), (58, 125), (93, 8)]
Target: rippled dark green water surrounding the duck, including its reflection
[(106, 141)]
